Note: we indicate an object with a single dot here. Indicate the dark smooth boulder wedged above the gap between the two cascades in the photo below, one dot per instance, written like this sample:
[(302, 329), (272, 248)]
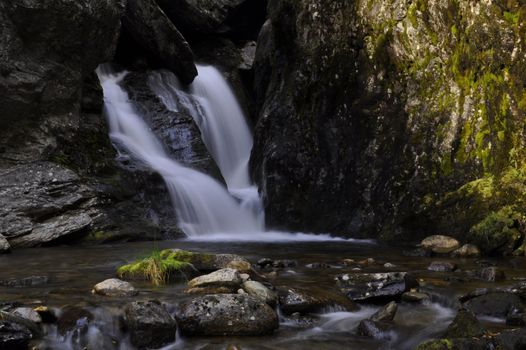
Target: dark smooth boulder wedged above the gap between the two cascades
[(150, 27)]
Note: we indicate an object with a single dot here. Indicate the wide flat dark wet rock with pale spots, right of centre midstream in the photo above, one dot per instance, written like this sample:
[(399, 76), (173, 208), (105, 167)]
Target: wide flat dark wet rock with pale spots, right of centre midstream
[(376, 287)]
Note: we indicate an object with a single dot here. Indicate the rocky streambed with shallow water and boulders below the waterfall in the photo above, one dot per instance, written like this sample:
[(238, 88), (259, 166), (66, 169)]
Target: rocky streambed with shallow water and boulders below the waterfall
[(288, 295)]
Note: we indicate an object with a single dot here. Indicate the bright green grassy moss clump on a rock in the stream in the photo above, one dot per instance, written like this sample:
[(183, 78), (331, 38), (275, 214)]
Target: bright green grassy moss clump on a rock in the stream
[(158, 267)]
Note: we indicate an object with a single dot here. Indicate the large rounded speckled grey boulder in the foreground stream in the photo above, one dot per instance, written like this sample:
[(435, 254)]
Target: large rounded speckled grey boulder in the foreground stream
[(226, 315)]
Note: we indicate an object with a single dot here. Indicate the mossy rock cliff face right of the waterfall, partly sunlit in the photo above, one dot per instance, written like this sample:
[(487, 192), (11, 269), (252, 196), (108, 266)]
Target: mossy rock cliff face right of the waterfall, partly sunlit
[(393, 118)]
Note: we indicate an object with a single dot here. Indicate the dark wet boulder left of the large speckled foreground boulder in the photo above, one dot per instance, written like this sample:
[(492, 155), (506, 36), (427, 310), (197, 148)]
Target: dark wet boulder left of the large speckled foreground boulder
[(150, 325)]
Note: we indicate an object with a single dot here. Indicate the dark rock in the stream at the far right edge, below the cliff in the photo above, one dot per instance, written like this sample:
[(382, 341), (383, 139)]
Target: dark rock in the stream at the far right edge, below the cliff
[(494, 304)]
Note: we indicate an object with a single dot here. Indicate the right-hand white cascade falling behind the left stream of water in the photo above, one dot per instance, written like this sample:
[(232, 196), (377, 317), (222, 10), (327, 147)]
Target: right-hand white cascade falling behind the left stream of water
[(224, 129)]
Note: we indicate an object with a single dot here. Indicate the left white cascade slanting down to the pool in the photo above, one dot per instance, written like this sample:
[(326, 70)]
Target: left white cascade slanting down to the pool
[(202, 204)]
